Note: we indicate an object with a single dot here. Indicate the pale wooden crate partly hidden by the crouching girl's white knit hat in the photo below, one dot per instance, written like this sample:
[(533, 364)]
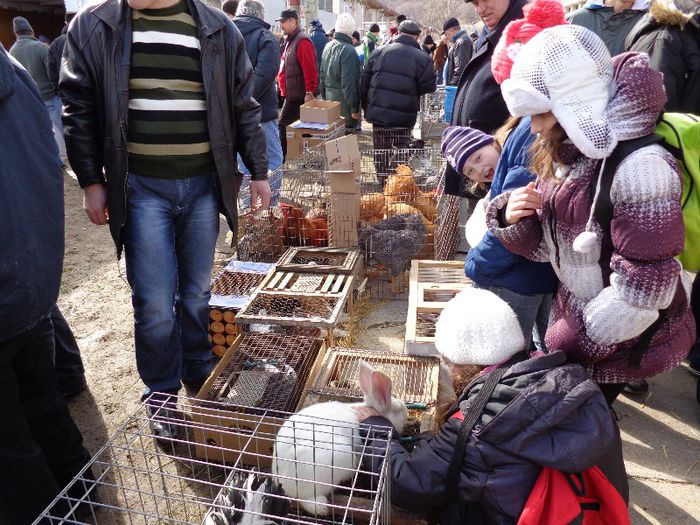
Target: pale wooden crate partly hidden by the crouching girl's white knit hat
[(432, 285)]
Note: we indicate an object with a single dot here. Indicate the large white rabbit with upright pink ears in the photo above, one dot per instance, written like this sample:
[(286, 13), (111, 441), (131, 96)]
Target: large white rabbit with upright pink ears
[(318, 447)]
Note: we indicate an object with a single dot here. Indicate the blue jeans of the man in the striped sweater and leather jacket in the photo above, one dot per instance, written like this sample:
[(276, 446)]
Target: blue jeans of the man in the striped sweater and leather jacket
[(169, 239)]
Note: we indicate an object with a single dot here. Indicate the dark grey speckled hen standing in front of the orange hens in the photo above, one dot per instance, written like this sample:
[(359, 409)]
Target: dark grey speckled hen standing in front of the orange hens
[(394, 242)]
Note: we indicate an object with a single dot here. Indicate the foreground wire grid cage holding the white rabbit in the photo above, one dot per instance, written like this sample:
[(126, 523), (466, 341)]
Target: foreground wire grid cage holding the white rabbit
[(139, 478)]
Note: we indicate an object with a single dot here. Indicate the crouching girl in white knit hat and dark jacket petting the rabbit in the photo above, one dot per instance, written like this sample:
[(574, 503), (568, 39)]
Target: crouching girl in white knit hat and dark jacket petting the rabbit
[(534, 412)]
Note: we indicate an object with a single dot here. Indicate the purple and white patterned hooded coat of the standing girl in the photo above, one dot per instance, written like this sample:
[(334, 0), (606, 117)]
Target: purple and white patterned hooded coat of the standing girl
[(599, 325)]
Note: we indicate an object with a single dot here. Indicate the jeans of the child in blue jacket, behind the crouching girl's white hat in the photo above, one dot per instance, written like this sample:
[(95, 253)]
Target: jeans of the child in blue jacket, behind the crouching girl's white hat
[(532, 312)]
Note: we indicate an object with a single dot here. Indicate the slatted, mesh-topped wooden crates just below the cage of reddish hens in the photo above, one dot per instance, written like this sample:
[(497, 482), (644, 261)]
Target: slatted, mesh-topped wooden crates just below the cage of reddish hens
[(309, 288)]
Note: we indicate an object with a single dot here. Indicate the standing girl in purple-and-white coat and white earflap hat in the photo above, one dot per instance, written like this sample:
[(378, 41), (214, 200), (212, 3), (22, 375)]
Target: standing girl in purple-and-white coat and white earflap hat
[(617, 282)]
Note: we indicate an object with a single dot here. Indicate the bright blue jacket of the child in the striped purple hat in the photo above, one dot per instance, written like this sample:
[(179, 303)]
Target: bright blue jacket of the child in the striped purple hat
[(490, 263)]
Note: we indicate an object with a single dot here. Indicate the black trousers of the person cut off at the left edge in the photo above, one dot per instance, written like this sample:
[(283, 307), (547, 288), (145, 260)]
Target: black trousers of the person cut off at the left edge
[(41, 449)]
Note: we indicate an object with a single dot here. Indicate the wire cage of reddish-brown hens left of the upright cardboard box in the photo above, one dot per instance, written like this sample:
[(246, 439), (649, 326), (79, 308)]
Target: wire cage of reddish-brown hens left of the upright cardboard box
[(297, 214)]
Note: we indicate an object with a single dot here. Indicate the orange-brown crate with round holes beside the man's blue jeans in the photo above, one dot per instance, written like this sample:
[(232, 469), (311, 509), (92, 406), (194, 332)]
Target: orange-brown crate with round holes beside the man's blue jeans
[(230, 290)]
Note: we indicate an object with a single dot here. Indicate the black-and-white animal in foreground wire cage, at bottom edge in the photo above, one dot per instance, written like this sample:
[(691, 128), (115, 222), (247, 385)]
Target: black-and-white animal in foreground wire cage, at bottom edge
[(247, 500)]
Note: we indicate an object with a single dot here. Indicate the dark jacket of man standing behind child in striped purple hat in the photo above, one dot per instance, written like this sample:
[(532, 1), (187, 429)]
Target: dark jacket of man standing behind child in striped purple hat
[(479, 103)]
